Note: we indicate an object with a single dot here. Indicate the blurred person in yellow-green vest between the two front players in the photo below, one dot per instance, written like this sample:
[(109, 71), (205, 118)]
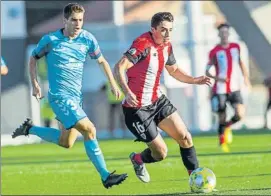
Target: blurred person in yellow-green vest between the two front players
[(115, 110)]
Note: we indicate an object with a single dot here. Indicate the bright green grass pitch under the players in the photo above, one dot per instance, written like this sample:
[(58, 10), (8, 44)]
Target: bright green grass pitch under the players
[(46, 169)]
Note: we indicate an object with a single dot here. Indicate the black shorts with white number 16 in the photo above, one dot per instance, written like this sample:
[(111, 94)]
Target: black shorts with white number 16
[(142, 122)]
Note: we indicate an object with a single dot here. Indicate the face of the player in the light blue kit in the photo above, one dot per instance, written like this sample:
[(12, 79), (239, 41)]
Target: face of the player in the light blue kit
[(74, 24)]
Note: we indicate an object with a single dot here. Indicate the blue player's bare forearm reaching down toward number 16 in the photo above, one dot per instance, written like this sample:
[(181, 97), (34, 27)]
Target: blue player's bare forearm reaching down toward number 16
[(106, 68)]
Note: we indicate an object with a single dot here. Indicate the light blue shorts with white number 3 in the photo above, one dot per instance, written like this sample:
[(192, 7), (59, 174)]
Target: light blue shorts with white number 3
[(68, 110)]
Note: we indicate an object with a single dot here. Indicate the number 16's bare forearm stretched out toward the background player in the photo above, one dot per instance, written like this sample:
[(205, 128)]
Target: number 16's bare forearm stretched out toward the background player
[(177, 73)]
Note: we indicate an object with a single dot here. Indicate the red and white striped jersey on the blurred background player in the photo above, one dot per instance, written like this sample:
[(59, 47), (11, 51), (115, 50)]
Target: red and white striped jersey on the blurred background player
[(227, 65)]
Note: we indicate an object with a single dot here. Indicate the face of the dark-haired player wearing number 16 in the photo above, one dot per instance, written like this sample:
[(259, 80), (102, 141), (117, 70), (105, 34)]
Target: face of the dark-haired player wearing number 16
[(162, 33)]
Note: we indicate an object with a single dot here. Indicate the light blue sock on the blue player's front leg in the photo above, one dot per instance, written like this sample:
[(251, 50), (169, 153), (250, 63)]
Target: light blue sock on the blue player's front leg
[(96, 156)]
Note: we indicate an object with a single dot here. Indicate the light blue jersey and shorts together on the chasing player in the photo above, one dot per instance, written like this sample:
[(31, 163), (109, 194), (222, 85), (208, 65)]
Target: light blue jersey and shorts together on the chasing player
[(65, 58)]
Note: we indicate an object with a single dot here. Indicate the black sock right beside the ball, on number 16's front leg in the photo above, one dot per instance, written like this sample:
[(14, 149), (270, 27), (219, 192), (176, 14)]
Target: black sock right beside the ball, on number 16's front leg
[(189, 158)]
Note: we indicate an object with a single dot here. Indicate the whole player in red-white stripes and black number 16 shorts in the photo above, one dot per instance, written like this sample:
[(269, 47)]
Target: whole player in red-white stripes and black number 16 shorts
[(145, 108)]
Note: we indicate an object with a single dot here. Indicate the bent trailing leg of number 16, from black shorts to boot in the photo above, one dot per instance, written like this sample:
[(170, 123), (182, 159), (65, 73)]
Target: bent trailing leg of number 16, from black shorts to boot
[(140, 123)]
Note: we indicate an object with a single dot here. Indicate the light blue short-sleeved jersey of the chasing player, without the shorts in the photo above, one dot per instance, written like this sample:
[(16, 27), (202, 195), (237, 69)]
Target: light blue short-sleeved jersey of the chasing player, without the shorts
[(65, 59)]
